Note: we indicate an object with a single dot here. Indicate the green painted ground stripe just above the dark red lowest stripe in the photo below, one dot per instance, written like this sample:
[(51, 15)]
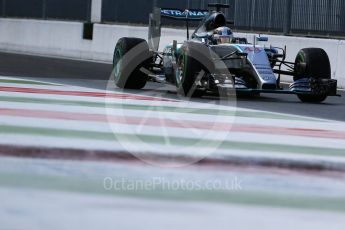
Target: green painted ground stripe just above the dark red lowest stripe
[(174, 141)]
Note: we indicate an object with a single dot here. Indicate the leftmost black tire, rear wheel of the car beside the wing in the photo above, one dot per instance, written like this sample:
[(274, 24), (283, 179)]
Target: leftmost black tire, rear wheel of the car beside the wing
[(130, 56)]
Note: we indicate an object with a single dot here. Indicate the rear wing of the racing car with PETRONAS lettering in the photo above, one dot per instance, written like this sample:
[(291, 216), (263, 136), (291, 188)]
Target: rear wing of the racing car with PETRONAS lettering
[(175, 14)]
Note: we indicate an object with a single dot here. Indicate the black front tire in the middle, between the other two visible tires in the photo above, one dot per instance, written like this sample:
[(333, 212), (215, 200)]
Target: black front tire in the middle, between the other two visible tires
[(188, 72)]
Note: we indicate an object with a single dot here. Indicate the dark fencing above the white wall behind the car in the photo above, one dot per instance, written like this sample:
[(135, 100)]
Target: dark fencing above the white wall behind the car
[(304, 17)]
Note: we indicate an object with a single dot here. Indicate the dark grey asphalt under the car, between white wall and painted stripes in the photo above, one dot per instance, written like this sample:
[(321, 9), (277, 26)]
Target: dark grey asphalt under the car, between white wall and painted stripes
[(65, 69)]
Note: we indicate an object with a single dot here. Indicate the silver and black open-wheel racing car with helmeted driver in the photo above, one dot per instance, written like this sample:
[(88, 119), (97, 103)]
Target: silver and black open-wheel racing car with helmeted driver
[(213, 60)]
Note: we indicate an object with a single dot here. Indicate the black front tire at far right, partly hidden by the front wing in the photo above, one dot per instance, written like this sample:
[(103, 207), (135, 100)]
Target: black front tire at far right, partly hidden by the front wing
[(312, 62)]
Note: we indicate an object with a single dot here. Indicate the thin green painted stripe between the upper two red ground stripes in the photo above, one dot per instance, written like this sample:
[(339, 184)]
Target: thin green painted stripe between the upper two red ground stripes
[(215, 112)]
